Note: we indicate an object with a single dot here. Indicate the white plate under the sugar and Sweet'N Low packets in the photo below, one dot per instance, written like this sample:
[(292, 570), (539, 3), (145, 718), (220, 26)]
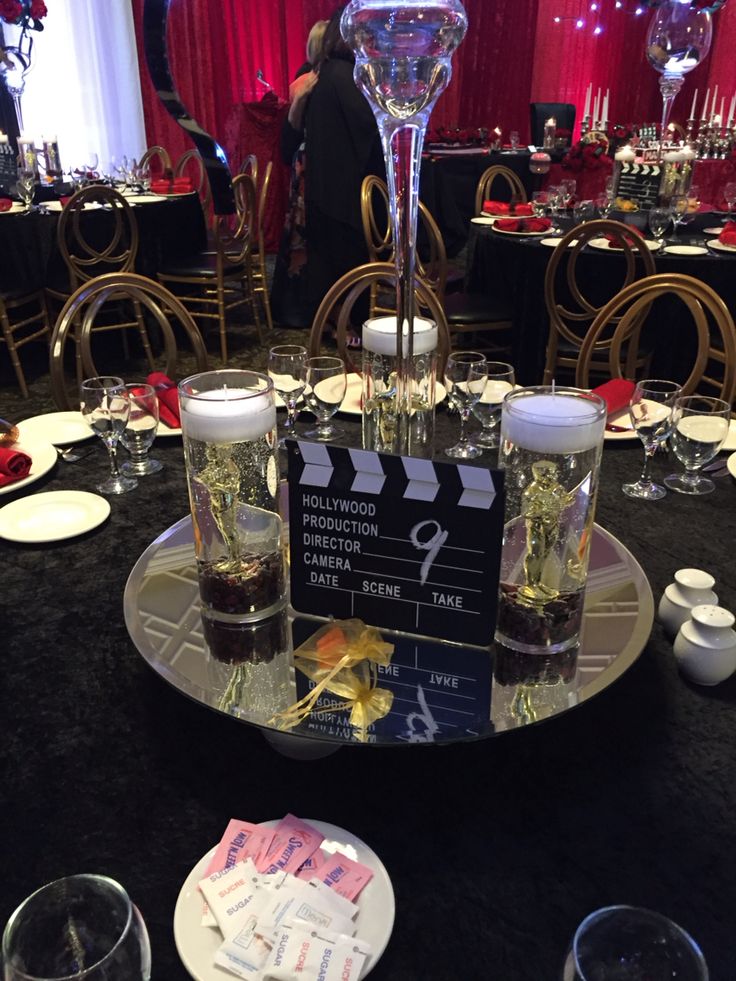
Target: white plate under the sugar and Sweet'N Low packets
[(375, 918)]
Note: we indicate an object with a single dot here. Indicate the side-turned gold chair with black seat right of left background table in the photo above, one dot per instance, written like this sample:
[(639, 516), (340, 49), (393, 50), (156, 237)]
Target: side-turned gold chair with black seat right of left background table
[(219, 280)]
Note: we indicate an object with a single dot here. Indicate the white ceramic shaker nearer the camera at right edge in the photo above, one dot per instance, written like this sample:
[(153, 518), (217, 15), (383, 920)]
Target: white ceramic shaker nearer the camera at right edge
[(705, 646)]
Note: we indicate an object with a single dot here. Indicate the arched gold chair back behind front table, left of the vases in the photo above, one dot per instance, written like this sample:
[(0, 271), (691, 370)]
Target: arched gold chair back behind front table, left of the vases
[(83, 308)]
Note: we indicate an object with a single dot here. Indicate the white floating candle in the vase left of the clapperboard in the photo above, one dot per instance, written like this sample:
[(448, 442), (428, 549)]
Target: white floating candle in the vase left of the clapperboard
[(228, 415)]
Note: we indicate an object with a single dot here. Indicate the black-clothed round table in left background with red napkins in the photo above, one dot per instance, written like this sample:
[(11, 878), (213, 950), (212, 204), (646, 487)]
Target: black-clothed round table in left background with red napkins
[(168, 228)]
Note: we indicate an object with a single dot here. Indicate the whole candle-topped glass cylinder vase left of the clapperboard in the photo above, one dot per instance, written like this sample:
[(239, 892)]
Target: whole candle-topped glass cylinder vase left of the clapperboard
[(228, 421)]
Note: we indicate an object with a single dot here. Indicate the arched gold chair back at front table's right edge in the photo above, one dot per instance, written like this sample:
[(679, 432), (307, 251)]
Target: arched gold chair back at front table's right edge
[(714, 364)]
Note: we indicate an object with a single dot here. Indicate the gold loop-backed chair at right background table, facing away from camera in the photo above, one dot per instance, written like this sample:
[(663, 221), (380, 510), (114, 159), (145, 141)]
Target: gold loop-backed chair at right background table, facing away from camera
[(567, 296)]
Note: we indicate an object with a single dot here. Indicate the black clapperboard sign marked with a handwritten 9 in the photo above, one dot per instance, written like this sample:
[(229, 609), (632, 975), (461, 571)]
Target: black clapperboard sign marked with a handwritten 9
[(402, 543)]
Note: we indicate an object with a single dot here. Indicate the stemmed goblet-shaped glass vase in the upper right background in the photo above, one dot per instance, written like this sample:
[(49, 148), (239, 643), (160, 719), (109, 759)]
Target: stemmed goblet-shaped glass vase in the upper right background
[(678, 40)]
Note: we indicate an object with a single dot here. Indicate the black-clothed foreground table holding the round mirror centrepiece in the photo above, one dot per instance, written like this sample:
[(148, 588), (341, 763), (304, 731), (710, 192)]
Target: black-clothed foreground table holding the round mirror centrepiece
[(629, 798)]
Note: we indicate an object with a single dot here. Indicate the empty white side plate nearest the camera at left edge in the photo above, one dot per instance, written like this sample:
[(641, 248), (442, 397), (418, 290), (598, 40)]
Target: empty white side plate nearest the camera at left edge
[(52, 516)]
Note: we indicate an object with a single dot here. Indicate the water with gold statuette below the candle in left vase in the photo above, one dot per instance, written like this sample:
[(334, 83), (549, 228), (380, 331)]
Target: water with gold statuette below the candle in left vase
[(238, 533)]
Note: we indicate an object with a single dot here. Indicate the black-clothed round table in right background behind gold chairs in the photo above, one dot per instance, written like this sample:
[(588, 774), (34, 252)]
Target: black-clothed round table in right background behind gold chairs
[(515, 267)]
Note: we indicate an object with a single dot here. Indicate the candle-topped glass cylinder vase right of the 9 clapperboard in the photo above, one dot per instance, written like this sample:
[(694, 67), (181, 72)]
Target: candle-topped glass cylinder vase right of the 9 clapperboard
[(551, 443)]
